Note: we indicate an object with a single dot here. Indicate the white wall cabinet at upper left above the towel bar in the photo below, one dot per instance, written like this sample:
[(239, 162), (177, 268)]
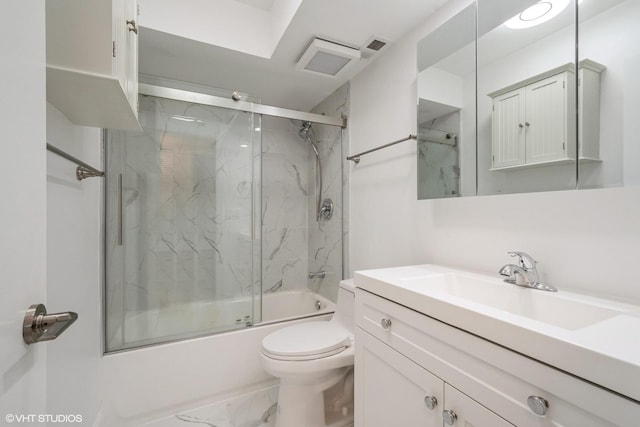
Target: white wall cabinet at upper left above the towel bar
[(92, 61)]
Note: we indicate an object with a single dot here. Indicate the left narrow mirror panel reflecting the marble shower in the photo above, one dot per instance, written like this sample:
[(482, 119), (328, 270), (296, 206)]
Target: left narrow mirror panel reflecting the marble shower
[(446, 109)]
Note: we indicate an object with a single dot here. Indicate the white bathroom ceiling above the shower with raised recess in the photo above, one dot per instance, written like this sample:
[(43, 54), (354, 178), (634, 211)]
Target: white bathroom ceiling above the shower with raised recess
[(253, 45)]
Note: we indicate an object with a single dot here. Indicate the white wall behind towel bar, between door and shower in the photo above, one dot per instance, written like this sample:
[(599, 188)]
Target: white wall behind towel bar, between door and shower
[(74, 275)]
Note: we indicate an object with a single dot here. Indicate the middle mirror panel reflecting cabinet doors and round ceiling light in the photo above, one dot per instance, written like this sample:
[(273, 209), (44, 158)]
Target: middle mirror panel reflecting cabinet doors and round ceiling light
[(526, 96)]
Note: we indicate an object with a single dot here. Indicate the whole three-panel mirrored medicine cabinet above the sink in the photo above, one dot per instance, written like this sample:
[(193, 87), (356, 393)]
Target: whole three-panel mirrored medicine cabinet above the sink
[(507, 104)]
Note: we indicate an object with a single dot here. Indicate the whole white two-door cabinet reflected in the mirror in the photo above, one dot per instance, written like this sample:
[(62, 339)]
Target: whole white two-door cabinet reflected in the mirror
[(534, 122)]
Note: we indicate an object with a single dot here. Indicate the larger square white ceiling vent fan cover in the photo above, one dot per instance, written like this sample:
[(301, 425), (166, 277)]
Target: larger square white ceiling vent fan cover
[(327, 58)]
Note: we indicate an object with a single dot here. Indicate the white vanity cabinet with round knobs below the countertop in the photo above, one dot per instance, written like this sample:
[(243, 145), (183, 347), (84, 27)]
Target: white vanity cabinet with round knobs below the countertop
[(404, 357)]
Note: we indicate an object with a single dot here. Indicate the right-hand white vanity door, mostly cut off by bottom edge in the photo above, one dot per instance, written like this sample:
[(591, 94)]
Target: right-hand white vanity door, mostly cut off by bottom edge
[(469, 412)]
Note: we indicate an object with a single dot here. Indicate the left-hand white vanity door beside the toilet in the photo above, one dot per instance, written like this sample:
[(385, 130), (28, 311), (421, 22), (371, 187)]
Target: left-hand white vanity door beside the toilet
[(391, 389)]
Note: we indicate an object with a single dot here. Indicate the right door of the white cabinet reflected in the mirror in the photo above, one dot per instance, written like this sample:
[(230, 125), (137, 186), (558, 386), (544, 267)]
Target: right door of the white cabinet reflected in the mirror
[(546, 120)]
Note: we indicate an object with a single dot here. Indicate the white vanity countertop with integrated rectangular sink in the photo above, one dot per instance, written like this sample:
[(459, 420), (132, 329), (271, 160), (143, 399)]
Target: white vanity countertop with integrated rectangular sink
[(605, 352)]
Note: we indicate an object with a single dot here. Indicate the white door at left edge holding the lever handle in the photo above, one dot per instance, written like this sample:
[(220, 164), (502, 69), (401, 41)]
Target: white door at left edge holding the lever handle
[(23, 213)]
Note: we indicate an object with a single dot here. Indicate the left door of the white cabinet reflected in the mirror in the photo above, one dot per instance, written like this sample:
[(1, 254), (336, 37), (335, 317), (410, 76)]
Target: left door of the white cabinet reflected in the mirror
[(508, 132)]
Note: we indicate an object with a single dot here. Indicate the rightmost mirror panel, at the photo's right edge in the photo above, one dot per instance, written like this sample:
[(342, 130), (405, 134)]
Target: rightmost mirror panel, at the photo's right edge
[(609, 35)]
